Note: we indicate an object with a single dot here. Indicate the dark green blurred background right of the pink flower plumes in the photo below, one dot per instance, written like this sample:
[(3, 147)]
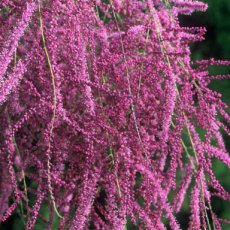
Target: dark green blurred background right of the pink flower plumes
[(217, 44)]
